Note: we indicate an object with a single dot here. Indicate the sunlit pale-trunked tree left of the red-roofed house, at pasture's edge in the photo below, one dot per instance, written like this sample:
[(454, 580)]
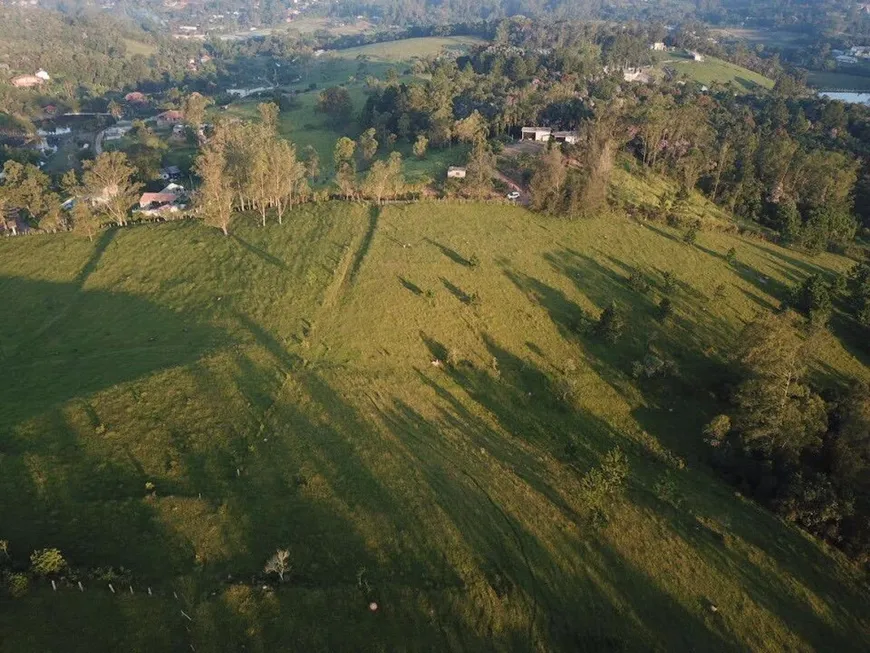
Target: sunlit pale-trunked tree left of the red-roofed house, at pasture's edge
[(108, 184)]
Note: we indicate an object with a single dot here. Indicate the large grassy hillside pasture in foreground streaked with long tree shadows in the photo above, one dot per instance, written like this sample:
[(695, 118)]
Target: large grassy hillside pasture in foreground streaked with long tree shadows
[(406, 399)]
